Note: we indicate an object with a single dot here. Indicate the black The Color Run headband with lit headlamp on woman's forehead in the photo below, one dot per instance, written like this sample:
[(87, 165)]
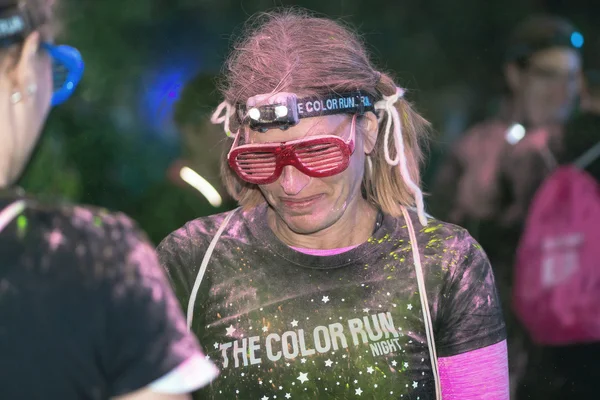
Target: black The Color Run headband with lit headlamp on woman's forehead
[(285, 110)]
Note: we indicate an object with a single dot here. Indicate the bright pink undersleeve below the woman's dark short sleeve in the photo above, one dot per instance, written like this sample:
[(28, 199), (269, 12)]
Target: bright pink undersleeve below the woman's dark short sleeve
[(480, 374)]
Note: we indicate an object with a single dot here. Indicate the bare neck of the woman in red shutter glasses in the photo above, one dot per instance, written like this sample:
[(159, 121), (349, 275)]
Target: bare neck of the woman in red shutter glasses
[(354, 227)]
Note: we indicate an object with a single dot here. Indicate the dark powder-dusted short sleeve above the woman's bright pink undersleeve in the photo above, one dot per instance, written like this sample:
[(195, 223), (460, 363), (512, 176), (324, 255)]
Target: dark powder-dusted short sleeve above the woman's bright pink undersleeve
[(470, 315)]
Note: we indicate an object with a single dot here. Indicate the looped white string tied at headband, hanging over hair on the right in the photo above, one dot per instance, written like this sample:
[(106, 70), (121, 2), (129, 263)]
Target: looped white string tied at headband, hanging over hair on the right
[(388, 105)]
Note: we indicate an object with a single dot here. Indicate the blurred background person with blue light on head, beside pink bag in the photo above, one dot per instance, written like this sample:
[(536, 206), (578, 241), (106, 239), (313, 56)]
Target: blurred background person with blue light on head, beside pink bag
[(491, 174)]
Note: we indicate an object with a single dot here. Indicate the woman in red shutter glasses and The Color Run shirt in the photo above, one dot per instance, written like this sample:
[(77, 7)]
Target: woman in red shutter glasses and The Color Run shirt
[(330, 281)]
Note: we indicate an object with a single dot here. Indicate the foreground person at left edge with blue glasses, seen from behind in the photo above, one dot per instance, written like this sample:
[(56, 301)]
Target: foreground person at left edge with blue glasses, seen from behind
[(85, 308)]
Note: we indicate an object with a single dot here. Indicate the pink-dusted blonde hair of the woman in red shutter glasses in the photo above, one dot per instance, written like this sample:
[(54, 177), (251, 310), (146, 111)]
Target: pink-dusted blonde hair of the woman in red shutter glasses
[(294, 51)]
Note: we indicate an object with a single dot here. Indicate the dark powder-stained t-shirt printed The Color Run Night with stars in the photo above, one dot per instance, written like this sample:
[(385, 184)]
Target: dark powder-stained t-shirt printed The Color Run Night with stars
[(283, 324)]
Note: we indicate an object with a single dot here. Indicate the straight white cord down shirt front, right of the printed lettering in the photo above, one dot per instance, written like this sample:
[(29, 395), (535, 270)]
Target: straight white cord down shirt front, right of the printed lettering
[(424, 304)]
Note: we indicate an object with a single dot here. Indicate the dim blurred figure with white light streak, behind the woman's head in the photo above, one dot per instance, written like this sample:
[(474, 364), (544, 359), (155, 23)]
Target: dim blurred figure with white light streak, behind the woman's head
[(174, 200)]
